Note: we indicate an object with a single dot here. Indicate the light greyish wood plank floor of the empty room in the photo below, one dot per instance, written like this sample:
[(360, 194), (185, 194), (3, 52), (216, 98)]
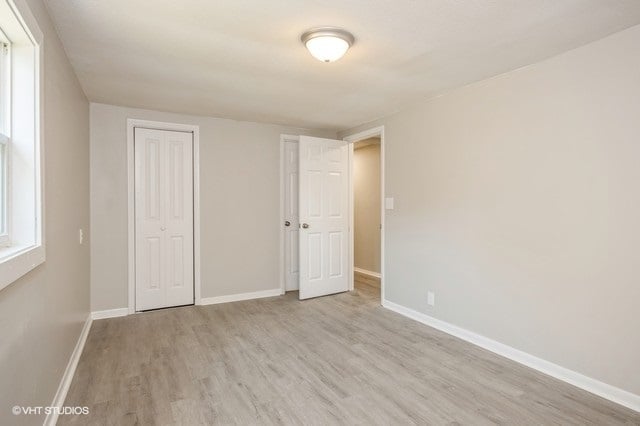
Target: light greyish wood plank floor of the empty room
[(339, 359)]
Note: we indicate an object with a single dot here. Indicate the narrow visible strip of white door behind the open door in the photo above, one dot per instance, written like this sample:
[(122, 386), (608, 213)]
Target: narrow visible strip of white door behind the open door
[(291, 231)]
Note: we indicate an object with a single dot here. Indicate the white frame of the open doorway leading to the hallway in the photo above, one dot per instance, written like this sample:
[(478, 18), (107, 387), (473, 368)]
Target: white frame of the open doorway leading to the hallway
[(356, 137)]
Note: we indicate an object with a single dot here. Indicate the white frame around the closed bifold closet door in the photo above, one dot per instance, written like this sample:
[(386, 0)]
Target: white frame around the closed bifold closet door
[(131, 230)]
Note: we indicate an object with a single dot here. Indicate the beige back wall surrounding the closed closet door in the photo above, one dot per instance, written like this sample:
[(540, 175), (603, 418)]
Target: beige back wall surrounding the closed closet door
[(239, 196)]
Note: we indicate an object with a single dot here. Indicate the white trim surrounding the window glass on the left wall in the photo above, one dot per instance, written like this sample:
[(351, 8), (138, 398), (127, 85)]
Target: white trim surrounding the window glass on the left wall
[(17, 260)]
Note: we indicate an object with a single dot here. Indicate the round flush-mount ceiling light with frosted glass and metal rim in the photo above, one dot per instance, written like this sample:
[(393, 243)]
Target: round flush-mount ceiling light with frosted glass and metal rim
[(327, 44)]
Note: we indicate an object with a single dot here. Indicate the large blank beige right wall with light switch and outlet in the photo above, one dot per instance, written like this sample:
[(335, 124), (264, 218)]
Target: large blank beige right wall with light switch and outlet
[(517, 203)]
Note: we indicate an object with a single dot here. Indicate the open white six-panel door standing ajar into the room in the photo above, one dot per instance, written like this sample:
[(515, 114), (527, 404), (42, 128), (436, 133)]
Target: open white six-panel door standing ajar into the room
[(324, 216)]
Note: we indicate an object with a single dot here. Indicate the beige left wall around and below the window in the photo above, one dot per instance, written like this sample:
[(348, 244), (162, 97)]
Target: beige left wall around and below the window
[(42, 314)]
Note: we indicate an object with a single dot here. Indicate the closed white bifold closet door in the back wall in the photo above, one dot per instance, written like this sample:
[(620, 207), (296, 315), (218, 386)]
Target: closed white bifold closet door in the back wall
[(164, 218)]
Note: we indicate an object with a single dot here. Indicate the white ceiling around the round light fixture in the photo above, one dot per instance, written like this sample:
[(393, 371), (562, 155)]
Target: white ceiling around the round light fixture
[(243, 59)]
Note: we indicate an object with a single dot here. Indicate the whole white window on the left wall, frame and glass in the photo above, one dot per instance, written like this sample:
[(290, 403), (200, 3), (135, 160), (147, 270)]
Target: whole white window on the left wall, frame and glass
[(26, 248)]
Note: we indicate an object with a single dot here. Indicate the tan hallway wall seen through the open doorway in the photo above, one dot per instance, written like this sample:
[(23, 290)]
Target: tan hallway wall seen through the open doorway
[(366, 201)]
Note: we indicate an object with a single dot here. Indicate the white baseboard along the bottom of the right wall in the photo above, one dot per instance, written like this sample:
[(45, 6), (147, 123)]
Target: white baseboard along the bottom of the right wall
[(581, 381)]
